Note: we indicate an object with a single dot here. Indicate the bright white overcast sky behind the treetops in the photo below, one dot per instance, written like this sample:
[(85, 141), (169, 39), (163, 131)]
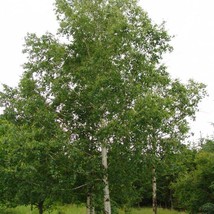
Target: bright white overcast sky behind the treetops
[(189, 21)]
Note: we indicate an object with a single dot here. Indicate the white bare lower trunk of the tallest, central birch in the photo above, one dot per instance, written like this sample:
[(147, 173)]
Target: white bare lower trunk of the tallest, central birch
[(107, 203)]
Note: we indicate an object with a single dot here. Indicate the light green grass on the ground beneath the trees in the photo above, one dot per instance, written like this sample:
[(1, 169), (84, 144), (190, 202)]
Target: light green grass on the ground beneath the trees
[(73, 209)]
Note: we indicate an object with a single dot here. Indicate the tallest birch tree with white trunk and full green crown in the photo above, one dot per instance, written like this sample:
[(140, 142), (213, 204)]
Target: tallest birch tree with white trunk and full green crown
[(110, 58)]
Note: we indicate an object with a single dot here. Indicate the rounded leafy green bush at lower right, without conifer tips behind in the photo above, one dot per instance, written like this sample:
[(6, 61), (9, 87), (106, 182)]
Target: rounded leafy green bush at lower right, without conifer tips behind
[(193, 188)]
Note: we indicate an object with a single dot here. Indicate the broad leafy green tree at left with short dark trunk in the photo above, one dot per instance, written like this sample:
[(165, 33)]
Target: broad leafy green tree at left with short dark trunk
[(36, 148)]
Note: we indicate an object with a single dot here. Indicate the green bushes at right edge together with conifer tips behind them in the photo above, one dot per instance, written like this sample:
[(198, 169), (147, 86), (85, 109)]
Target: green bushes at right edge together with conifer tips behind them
[(193, 187)]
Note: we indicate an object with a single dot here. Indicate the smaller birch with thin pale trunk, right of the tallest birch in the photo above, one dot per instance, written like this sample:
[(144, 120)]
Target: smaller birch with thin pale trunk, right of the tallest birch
[(164, 116)]
